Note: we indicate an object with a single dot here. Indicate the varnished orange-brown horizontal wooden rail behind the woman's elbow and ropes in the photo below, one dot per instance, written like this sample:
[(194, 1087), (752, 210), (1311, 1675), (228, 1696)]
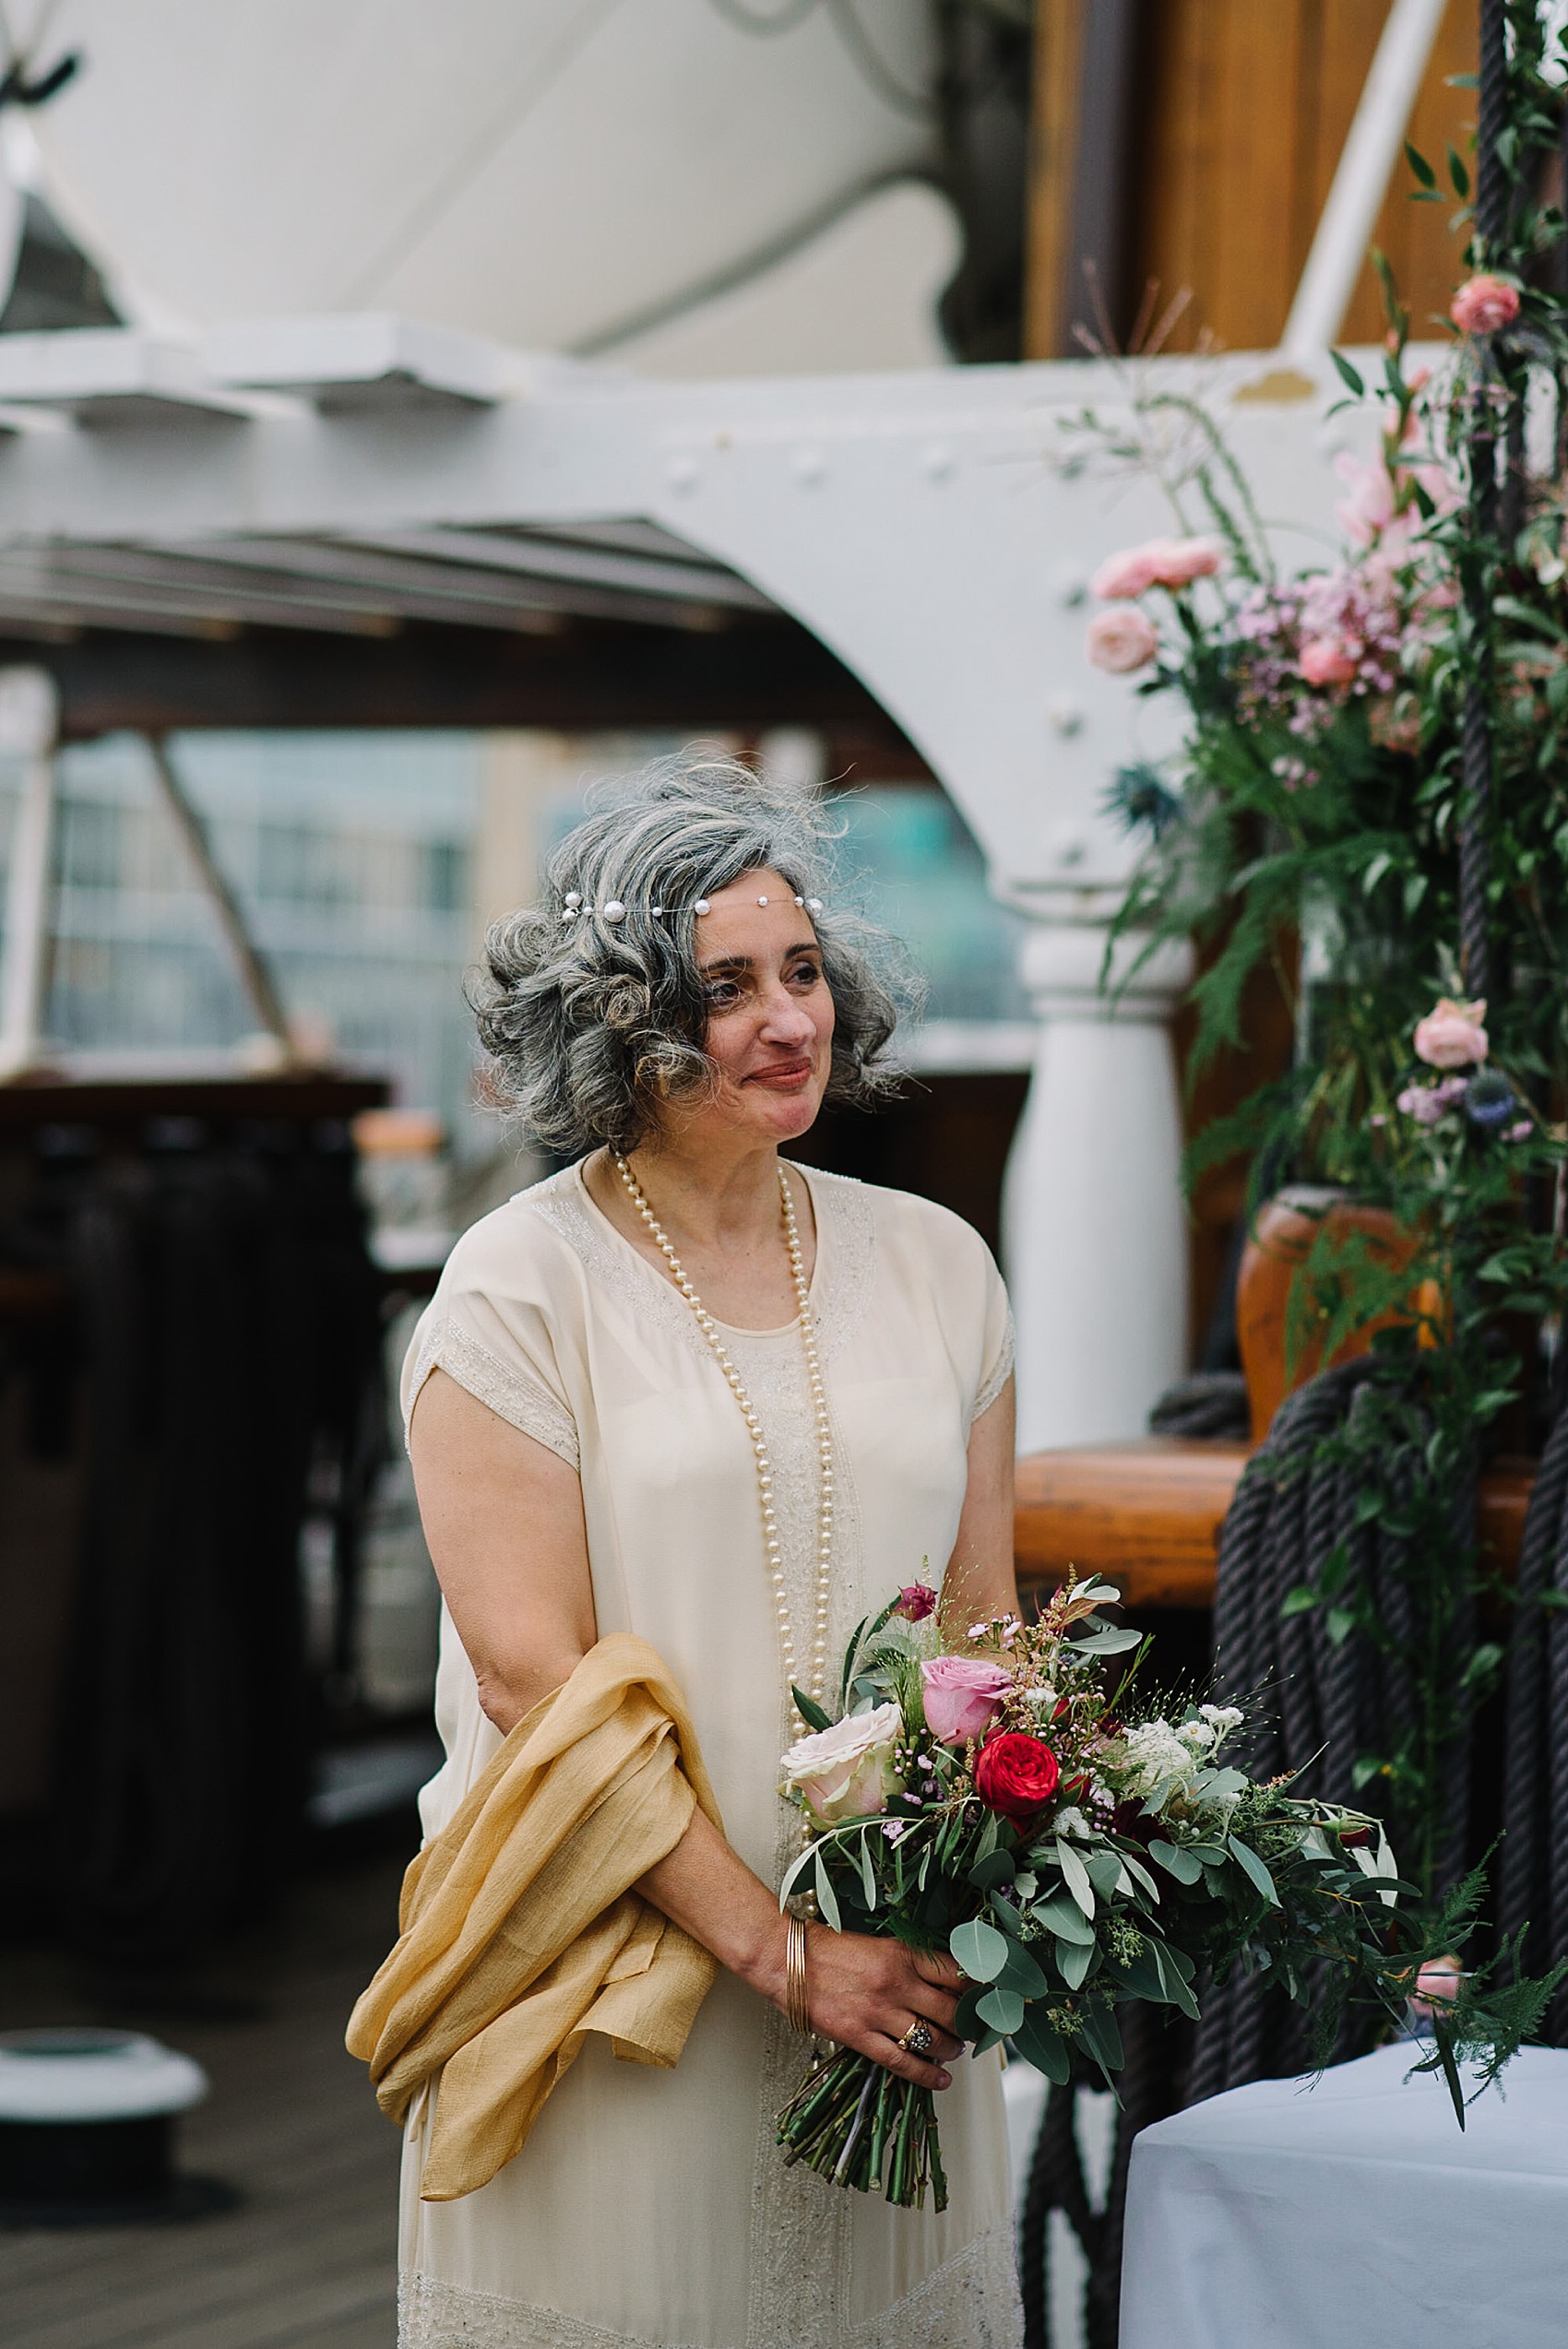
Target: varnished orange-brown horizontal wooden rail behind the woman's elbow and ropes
[(1148, 1514)]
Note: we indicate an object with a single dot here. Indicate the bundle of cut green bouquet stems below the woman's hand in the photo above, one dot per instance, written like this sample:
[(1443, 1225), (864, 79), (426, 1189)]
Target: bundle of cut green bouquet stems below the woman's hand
[(864, 2127)]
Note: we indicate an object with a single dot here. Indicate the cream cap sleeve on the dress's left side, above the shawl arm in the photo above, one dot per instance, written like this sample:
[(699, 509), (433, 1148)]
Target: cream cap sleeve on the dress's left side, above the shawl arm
[(490, 1328)]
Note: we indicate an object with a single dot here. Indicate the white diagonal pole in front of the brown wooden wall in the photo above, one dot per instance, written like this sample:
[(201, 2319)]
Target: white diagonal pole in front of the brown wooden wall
[(1362, 177)]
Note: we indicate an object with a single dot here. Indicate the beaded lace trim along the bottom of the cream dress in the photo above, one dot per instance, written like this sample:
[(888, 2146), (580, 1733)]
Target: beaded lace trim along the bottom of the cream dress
[(972, 2298)]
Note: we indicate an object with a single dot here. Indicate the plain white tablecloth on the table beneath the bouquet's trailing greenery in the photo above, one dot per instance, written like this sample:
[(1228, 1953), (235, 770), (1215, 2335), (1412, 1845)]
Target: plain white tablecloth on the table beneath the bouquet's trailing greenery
[(1294, 2216)]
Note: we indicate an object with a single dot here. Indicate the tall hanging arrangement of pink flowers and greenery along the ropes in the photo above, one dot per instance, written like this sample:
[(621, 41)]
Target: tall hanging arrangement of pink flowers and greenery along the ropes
[(1358, 741)]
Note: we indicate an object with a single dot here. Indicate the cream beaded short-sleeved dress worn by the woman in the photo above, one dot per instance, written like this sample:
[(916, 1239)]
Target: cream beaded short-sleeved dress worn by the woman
[(652, 2209)]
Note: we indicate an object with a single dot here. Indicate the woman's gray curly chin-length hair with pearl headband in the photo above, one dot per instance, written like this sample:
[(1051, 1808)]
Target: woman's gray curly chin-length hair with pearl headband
[(591, 1025)]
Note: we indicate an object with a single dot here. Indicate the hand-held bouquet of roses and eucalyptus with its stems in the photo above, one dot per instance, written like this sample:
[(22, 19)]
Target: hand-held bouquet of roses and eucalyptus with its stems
[(1014, 1810)]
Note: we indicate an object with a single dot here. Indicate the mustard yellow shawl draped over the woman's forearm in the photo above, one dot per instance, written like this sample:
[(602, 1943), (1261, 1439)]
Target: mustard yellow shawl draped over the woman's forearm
[(521, 1930)]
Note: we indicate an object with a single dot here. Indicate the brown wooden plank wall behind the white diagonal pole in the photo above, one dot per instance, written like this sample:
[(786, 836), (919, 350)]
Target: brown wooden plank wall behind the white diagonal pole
[(1235, 121)]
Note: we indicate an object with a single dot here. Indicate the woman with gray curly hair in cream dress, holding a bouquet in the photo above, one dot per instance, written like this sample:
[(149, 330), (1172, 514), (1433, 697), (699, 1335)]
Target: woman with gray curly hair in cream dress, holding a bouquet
[(725, 1404)]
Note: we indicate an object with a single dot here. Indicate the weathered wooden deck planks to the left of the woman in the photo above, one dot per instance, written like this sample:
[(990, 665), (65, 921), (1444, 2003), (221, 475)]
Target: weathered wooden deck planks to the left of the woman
[(307, 2261)]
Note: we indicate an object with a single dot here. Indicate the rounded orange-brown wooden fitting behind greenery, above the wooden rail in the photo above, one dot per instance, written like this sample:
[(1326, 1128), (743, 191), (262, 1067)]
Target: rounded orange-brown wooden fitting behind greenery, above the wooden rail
[(1278, 1246)]
